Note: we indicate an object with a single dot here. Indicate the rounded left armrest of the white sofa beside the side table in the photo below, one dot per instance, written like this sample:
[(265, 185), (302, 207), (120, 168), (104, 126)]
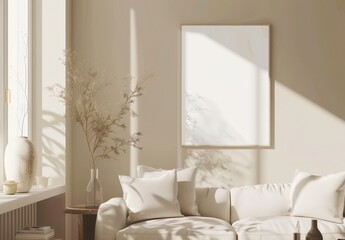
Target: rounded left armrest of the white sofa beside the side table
[(111, 217)]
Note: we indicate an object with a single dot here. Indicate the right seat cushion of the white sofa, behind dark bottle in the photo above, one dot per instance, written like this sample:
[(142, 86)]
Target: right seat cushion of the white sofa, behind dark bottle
[(276, 228)]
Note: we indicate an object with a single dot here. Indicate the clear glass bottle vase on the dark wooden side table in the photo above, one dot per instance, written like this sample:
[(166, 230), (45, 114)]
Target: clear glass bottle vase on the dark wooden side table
[(94, 191)]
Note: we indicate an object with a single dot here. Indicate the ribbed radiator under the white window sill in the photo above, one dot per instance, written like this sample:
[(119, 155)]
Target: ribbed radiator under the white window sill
[(12, 221)]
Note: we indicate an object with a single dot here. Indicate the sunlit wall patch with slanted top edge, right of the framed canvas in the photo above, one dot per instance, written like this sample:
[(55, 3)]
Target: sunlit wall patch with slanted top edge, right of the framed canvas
[(307, 137)]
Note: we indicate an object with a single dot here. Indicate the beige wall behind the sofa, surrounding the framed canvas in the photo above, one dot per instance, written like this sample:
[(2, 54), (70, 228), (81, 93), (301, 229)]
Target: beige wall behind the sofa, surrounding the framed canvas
[(307, 57)]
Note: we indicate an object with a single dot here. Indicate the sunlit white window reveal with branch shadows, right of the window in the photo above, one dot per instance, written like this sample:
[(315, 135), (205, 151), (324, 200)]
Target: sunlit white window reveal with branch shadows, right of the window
[(50, 121)]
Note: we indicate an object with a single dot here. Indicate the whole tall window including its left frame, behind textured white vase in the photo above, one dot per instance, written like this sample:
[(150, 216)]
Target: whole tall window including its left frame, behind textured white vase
[(16, 69)]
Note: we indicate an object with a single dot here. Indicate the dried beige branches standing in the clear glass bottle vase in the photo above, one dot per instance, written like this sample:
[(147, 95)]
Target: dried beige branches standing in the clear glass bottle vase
[(98, 123)]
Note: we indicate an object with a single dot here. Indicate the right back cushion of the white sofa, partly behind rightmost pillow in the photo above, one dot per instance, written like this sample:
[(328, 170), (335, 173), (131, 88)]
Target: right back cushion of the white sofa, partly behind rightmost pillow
[(259, 201)]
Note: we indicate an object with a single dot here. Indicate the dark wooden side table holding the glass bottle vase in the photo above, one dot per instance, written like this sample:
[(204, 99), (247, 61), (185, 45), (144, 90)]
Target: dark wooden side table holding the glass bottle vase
[(86, 220)]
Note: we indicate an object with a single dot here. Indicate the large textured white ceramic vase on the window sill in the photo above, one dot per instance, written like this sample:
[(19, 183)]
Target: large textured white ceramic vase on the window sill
[(20, 163)]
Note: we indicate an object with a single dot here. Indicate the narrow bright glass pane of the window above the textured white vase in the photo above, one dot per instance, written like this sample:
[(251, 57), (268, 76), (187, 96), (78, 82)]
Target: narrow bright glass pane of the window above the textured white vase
[(18, 68)]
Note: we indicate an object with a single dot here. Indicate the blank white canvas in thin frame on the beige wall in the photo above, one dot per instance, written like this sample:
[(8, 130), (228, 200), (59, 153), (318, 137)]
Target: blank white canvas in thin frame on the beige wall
[(225, 86)]
